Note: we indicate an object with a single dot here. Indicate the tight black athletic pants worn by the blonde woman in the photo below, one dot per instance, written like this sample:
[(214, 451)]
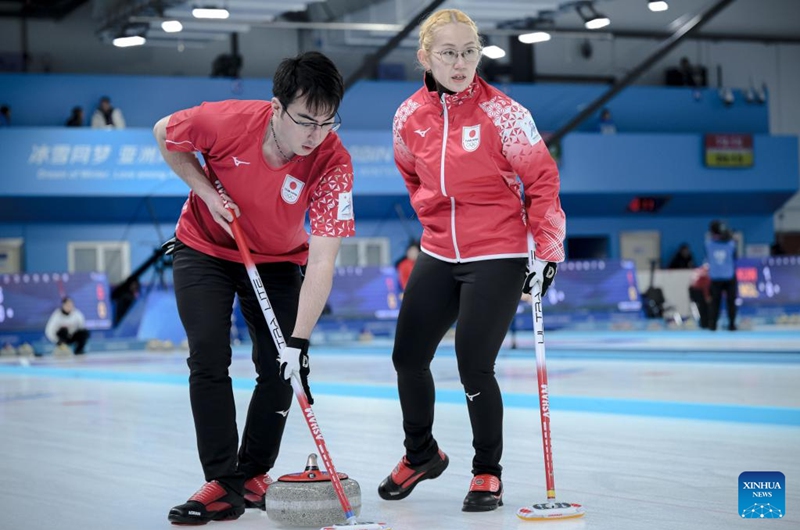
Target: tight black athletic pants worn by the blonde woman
[(483, 297)]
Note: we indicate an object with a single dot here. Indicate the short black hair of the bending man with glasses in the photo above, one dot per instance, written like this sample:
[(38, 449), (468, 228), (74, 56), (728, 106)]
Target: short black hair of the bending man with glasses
[(312, 75)]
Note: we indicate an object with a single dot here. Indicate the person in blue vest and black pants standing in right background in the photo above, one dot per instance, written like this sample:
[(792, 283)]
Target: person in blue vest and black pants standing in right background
[(721, 257)]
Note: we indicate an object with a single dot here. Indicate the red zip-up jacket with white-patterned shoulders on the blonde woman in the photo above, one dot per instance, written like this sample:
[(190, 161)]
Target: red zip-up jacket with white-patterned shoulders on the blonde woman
[(460, 156)]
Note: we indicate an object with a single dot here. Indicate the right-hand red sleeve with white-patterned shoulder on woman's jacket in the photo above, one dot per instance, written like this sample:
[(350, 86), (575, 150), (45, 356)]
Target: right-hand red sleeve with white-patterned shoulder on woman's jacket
[(527, 153)]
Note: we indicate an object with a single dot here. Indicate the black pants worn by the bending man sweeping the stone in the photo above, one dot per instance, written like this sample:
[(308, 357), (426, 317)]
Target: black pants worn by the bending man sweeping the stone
[(205, 287)]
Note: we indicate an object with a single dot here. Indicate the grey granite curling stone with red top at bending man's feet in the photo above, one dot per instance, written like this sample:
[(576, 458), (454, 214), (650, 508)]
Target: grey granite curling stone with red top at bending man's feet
[(308, 498)]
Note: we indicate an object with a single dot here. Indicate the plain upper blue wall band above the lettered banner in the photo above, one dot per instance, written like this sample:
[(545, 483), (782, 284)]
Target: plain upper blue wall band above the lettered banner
[(46, 100)]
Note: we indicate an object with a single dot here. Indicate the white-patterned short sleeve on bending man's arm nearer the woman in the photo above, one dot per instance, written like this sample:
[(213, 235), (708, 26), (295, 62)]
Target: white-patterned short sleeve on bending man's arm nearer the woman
[(331, 210)]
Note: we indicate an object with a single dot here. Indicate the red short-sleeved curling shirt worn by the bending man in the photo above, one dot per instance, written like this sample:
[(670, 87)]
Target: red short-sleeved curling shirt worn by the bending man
[(272, 201)]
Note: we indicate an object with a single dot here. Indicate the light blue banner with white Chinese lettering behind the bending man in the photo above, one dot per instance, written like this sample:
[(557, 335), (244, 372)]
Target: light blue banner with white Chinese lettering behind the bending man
[(47, 162)]
